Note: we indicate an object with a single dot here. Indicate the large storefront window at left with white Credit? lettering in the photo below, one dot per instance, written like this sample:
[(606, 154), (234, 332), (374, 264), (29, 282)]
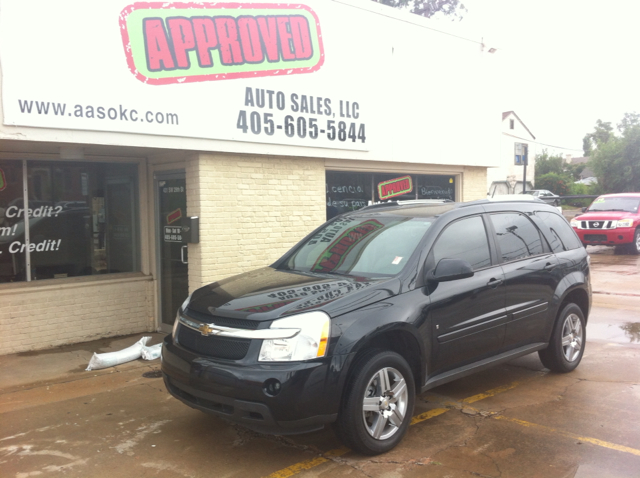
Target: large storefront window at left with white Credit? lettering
[(82, 218)]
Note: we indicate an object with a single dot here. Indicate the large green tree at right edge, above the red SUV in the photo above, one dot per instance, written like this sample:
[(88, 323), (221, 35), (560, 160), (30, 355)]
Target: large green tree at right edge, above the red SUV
[(615, 160)]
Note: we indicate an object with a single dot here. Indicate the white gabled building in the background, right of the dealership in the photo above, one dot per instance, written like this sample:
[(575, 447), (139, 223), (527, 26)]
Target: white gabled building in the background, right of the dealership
[(507, 178)]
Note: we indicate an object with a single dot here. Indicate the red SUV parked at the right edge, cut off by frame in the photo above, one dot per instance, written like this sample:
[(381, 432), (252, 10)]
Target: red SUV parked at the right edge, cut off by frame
[(611, 220)]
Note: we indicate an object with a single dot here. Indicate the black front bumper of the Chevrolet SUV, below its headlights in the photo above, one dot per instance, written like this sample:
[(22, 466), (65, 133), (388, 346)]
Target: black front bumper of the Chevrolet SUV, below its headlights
[(308, 396)]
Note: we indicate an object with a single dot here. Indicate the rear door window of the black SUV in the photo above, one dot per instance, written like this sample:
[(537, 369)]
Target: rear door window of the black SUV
[(516, 236)]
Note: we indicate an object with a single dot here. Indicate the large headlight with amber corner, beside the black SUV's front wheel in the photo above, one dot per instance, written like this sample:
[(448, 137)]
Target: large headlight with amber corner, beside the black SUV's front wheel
[(311, 342)]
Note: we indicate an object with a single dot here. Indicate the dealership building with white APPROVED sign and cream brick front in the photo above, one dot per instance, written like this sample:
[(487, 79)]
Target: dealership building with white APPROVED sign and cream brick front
[(148, 149)]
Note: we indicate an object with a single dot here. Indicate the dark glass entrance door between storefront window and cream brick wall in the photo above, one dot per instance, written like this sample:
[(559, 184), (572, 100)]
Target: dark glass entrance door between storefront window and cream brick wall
[(173, 264)]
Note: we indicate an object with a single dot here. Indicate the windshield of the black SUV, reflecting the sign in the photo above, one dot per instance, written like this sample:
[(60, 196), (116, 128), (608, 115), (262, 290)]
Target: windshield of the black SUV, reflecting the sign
[(364, 246)]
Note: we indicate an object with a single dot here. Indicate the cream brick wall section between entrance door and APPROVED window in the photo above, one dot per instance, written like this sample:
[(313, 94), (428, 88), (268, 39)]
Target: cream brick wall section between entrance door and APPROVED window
[(251, 209)]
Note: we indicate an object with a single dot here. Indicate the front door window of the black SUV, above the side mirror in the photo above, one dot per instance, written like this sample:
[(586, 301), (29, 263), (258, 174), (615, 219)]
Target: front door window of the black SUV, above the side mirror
[(465, 239)]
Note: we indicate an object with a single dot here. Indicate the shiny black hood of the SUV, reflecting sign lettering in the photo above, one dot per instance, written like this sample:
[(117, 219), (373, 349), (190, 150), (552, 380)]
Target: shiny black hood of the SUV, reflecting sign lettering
[(267, 294)]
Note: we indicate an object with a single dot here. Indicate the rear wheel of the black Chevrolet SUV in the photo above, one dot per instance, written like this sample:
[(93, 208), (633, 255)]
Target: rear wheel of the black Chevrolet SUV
[(568, 338)]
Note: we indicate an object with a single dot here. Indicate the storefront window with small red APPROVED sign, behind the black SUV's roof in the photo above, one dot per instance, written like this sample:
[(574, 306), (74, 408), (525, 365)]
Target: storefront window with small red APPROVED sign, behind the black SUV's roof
[(348, 191)]
